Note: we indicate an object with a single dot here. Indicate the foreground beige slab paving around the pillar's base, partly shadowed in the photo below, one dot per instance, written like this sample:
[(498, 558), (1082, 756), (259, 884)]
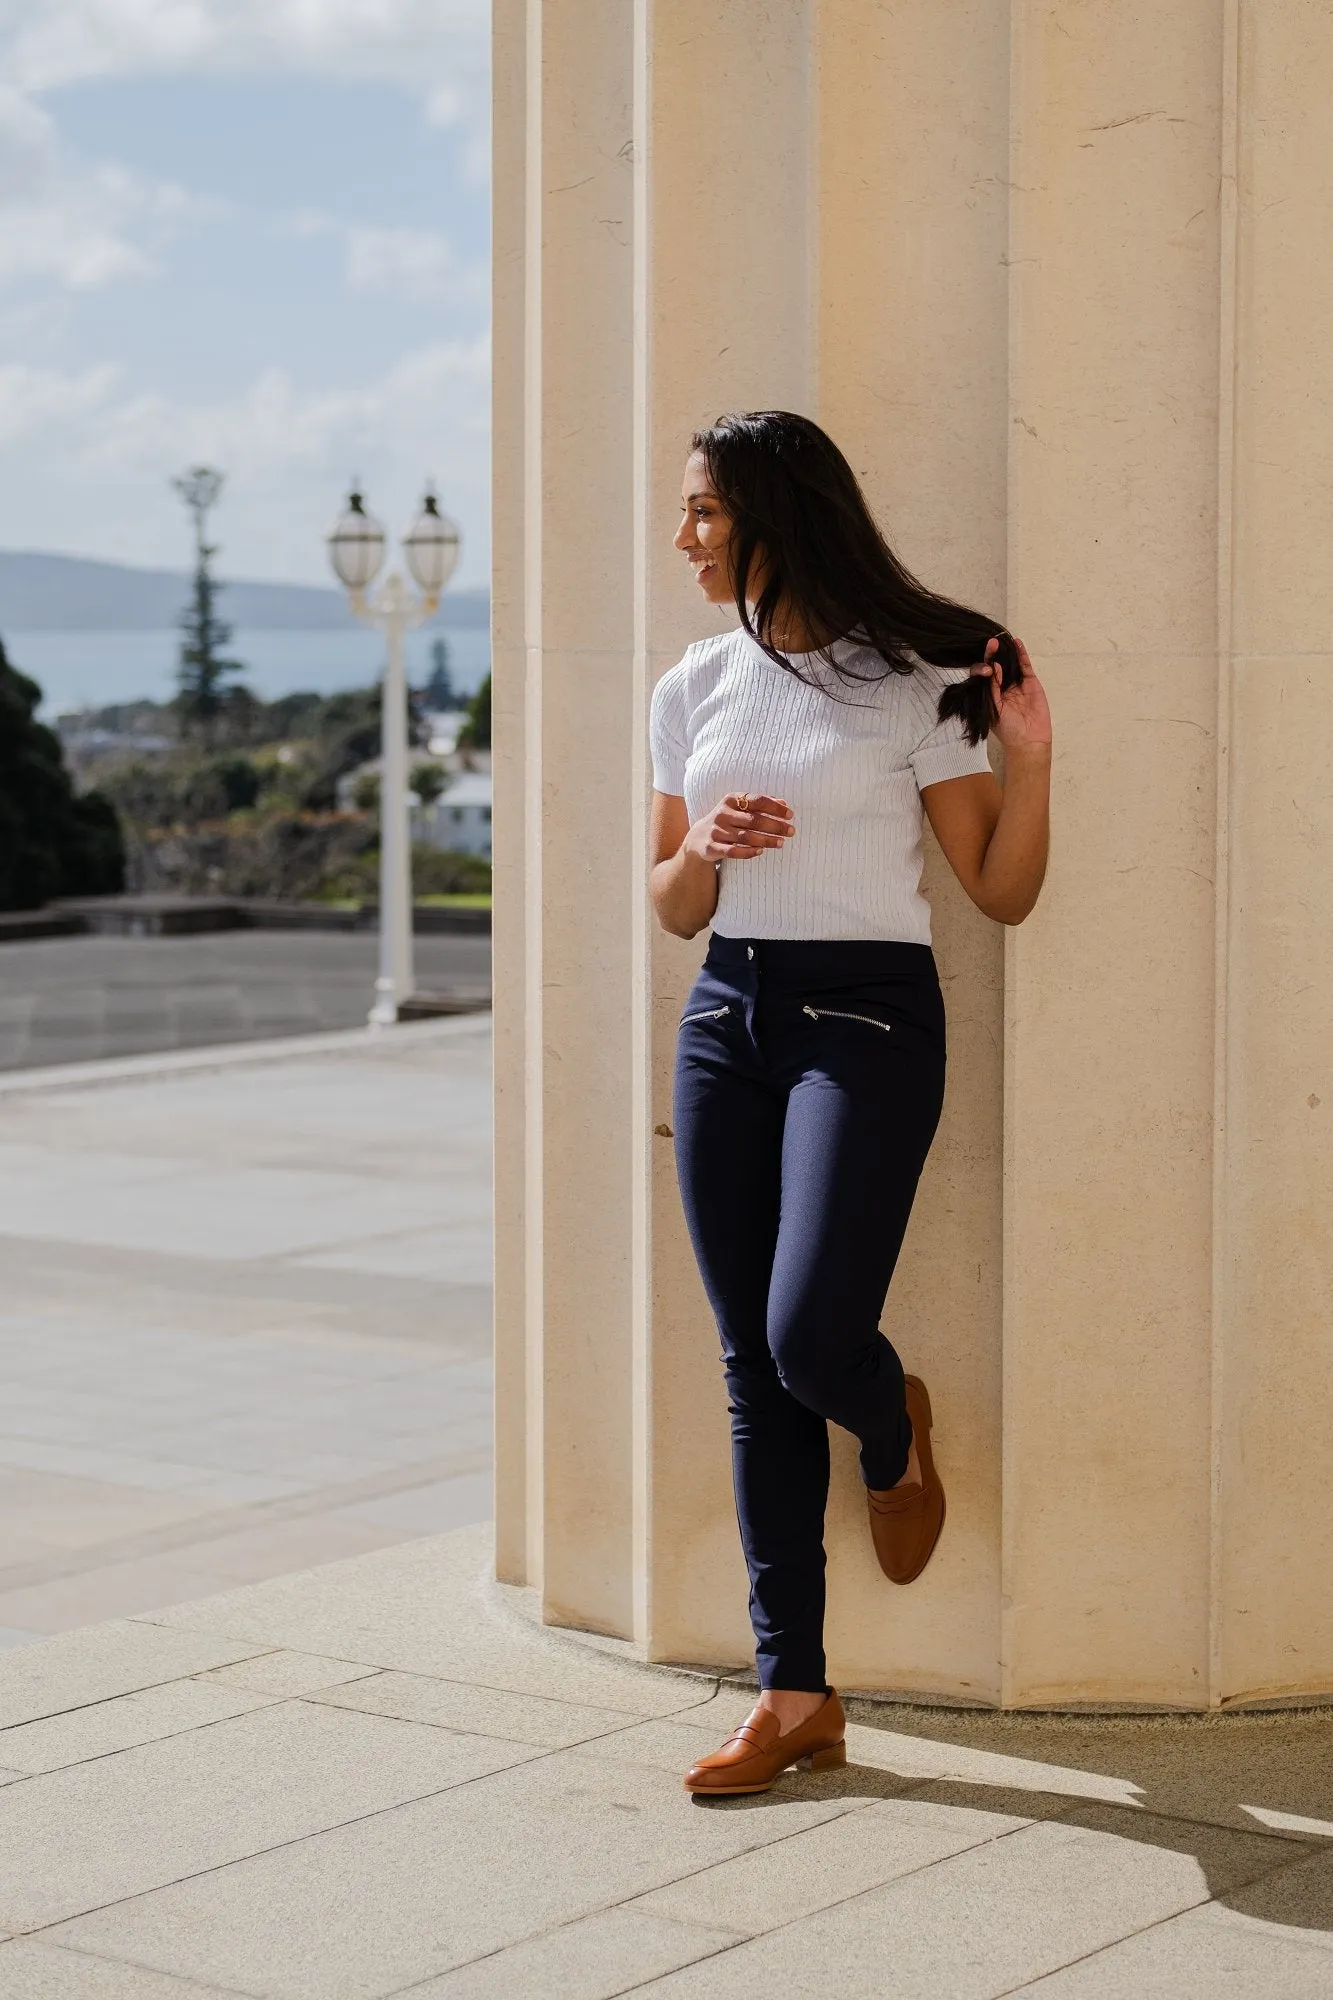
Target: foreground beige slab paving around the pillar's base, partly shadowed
[(385, 1779)]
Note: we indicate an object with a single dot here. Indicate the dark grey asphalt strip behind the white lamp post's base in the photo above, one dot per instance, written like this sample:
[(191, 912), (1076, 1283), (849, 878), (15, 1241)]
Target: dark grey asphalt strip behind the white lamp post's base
[(83, 999)]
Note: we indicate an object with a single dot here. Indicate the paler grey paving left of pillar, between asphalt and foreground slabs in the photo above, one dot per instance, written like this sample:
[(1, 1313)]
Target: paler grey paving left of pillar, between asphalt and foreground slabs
[(245, 1317)]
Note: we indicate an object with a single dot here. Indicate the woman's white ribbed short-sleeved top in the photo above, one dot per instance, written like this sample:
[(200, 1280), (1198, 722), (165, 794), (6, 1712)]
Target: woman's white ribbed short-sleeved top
[(850, 763)]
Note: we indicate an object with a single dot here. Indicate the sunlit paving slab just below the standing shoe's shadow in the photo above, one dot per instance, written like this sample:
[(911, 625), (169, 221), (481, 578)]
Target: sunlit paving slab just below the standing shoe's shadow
[(792, 1879)]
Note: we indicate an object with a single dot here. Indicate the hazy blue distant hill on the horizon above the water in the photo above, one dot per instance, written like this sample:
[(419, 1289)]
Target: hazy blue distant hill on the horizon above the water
[(73, 595)]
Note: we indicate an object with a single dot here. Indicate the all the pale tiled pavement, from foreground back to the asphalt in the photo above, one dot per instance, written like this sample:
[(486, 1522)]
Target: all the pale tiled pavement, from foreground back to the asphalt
[(243, 1331)]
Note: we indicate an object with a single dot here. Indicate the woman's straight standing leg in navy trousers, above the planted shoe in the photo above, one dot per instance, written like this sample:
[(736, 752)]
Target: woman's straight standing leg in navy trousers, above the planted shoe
[(730, 1155)]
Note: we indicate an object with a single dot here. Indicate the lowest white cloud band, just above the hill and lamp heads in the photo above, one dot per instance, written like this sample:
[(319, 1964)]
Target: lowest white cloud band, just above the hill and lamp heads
[(287, 455)]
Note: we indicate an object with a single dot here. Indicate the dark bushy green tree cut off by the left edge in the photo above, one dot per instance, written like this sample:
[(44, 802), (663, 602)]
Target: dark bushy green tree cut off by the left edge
[(53, 843)]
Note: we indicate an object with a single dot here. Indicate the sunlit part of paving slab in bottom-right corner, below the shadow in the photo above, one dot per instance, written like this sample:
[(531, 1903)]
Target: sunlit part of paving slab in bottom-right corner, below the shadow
[(1206, 1955)]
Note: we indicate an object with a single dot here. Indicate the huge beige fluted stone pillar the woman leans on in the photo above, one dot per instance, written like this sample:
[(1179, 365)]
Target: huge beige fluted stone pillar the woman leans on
[(1056, 279)]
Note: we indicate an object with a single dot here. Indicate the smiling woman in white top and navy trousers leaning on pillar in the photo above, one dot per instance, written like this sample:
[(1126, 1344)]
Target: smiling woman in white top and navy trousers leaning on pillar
[(794, 761)]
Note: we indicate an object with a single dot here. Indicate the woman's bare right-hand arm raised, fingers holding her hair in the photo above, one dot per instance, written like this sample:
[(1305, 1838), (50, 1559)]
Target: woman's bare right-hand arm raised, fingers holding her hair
[(998, 841)]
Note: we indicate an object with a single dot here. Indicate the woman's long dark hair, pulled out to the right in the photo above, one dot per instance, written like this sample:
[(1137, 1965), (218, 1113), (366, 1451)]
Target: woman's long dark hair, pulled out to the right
[(796, 509)]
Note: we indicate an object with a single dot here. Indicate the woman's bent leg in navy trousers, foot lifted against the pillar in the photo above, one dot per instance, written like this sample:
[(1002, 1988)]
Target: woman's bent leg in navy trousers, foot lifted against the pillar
[(856, 1139)]
